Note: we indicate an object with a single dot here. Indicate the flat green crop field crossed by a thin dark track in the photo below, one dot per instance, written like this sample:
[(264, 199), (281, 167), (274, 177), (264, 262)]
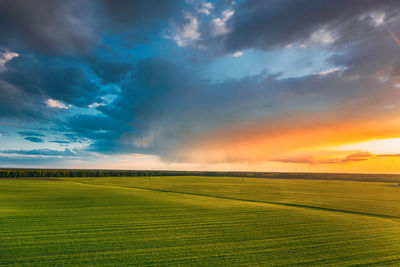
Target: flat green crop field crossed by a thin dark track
[(198, 221)]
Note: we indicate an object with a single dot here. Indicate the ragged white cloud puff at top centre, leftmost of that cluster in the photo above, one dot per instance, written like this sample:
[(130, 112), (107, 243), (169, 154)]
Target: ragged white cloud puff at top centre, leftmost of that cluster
[(188, 34)]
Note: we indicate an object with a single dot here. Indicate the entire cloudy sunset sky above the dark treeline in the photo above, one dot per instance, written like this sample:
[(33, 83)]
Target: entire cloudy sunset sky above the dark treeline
[(244, 85)]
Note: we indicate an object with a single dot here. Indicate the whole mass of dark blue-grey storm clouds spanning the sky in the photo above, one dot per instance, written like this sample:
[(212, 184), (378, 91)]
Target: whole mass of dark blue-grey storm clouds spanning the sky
[(160, 103)]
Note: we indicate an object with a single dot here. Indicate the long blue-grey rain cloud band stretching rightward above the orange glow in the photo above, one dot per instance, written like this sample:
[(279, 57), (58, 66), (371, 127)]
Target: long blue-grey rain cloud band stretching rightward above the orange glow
[(162, 104)]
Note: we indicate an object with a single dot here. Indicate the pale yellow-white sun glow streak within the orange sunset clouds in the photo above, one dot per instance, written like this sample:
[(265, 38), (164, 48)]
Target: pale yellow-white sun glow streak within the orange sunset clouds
[(383, 146)]
